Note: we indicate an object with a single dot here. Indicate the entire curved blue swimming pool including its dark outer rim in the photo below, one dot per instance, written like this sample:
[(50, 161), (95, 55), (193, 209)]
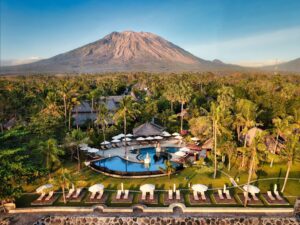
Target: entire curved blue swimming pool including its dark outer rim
[(120, 166)]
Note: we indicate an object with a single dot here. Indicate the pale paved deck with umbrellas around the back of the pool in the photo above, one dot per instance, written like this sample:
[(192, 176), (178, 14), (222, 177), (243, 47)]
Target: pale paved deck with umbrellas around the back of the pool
[(120, 151)]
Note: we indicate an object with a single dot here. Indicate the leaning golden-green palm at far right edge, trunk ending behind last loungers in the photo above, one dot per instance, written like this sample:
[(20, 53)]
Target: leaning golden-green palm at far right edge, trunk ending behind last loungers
[(291, 152)]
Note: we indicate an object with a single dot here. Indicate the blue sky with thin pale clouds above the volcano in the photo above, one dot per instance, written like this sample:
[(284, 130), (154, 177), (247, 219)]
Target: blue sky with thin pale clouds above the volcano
[(252, 33)]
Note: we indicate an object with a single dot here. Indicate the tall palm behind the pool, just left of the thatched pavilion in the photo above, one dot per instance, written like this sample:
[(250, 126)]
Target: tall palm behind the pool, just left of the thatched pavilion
[(127, 109)]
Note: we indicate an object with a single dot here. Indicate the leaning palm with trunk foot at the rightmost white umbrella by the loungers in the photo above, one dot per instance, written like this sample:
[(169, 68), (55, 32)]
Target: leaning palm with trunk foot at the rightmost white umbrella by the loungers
[(256, 152)]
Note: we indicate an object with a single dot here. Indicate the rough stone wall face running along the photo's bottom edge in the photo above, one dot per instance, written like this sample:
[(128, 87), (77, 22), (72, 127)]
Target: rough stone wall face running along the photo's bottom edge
[(68, 220)]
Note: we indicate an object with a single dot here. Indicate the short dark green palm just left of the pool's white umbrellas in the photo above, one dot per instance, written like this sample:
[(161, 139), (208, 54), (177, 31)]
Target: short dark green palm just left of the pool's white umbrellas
[(74, 140)]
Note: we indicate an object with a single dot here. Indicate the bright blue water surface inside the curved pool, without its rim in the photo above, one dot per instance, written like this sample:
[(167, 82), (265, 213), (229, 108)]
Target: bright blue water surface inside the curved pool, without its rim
[(157, 161)]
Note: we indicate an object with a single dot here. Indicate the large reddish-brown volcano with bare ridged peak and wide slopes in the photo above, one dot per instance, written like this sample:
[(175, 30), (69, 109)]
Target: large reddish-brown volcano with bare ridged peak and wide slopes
[(124, 51)]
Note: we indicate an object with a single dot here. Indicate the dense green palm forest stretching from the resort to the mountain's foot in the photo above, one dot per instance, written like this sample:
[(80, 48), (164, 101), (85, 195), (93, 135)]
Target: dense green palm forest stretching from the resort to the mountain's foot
[(206, 105)]
